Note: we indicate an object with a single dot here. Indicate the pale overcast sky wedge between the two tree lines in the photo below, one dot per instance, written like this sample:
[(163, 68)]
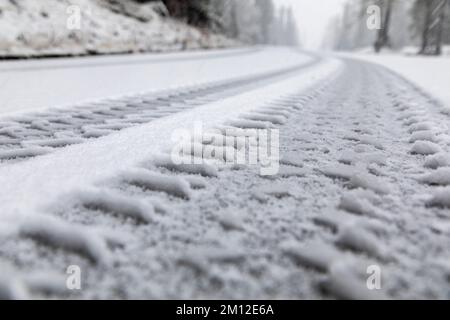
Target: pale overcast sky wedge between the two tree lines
[(313, 17)]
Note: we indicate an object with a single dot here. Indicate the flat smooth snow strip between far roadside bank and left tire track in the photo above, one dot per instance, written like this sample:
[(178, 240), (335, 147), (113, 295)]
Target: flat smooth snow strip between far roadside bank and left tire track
[(65, 83)]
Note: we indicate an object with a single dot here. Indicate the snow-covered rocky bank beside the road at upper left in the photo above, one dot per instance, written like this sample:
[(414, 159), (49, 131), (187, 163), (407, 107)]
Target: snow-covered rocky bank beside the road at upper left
[(79, 27)]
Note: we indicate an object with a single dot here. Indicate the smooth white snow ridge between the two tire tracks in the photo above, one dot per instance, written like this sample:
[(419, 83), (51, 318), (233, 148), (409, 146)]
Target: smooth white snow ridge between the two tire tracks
[(52, 176)]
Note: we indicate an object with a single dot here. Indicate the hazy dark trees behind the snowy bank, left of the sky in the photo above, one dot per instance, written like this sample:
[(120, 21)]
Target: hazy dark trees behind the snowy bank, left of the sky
[(250, 21)]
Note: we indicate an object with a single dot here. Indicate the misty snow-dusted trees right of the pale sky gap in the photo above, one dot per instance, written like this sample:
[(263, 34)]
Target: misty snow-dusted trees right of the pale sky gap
[(421, 23)]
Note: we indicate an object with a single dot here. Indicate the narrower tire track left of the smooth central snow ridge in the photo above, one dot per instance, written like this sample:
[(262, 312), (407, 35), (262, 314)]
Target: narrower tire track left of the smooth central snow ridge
[(28, 136)]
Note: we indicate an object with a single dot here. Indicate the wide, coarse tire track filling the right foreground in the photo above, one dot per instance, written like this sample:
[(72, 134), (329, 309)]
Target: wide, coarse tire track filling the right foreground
[(347, 197)]
